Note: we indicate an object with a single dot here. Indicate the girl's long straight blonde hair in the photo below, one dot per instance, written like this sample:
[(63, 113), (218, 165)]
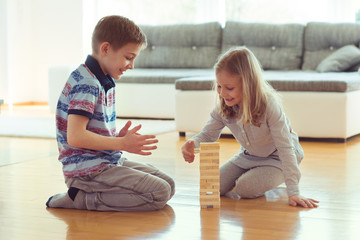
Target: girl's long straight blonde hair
[(256, 92)]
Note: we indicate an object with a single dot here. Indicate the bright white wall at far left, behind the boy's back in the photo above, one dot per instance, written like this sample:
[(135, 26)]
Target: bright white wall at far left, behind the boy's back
[(38, 34)]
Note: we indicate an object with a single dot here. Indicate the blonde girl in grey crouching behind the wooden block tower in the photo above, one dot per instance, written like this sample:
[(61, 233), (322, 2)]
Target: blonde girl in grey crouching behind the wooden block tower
[(270, 152)]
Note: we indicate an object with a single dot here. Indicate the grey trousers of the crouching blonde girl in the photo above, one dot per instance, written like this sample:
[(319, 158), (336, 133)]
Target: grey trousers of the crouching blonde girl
[(249, 183)]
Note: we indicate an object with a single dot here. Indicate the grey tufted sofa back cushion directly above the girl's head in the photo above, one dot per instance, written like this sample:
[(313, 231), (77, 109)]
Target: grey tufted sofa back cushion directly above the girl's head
[(277, 46)]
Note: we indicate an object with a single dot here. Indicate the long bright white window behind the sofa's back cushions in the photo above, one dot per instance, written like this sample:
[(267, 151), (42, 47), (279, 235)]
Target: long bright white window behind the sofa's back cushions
[(160, 12)]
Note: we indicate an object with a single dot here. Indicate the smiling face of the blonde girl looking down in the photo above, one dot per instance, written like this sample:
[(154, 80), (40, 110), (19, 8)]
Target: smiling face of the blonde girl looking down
[(229, 87)]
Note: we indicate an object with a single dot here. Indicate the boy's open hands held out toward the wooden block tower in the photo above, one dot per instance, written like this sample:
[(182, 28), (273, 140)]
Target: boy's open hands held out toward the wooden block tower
[(135, 142)]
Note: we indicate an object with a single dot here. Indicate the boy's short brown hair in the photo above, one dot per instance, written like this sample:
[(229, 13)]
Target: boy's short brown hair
[(118, 31)]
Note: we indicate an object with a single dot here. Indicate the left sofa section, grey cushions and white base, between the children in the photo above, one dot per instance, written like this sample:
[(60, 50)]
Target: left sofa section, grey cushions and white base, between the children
[(173, 52)]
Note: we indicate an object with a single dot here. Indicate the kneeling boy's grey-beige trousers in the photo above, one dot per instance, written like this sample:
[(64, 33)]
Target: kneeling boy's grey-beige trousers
[(131, 187)]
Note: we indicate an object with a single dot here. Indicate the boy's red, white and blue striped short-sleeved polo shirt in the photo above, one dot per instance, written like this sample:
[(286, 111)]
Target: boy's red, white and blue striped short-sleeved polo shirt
[(88, 92)]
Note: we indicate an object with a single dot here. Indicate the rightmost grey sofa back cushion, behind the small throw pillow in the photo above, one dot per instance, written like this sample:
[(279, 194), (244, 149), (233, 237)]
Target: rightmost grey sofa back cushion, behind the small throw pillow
[(322, 39)]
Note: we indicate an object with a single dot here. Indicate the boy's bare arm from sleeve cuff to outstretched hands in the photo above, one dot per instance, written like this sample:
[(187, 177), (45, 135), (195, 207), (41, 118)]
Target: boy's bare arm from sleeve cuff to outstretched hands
[(78, 136)]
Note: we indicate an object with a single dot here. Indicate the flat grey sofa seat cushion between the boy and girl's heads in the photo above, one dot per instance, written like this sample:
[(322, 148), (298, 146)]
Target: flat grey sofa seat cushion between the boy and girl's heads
[(161, 75)]
